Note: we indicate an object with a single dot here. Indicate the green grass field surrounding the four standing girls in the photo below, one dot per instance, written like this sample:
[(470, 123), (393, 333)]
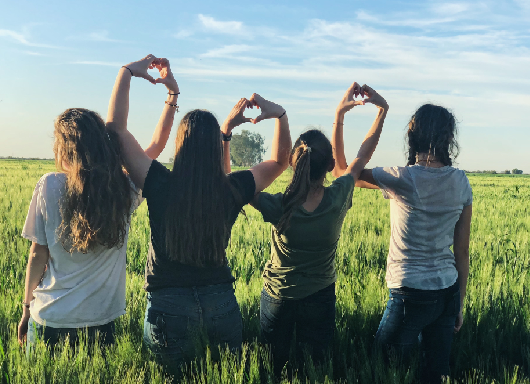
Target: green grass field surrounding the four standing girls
[(493, 345)]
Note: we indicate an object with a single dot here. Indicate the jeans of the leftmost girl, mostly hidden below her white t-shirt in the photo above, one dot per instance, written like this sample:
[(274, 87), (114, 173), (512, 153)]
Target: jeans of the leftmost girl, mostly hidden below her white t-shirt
[(52, 336)]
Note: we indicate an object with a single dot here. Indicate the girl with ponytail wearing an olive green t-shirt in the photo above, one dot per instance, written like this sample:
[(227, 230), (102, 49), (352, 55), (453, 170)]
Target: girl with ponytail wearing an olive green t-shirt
[(299, 279)]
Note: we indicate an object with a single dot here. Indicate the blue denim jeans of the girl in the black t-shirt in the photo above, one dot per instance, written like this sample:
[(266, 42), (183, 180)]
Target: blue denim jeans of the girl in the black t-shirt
[(181, 322)]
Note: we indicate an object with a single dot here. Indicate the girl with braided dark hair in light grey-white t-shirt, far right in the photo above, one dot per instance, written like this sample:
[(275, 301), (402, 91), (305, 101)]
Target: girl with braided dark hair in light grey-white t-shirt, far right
[(430, 211)]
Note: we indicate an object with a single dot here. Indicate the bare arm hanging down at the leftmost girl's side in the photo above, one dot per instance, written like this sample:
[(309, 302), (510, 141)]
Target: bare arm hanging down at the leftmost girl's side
[(37, 261)]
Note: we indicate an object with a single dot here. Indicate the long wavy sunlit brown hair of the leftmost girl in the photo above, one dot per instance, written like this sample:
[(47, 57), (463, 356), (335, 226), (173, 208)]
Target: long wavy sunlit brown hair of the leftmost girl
[(97, 198)]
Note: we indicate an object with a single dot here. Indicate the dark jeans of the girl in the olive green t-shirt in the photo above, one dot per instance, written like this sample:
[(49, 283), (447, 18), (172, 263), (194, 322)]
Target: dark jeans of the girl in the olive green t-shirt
[(314, 317)]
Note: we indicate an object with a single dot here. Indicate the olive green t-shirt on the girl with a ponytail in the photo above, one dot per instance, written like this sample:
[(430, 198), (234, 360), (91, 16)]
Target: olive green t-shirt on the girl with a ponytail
[(303, 258)]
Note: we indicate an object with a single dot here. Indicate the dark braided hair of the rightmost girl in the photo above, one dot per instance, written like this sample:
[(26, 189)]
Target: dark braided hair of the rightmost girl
[(432, 129)]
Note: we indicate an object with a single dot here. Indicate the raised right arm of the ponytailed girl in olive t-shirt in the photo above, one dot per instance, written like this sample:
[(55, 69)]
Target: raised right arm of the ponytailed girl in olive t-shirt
[(372, 137)]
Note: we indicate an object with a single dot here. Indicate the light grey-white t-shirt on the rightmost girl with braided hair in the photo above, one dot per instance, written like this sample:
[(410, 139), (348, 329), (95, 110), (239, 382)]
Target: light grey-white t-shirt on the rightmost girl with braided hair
[(425, 206)]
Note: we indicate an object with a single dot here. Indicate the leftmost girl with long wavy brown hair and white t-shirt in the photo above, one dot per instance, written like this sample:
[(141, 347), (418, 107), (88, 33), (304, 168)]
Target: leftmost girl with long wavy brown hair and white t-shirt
[(78, 222)]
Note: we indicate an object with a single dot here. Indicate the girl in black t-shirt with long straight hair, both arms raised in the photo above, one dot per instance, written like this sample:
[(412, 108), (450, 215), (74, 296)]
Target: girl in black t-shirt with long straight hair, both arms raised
[(192, 209)]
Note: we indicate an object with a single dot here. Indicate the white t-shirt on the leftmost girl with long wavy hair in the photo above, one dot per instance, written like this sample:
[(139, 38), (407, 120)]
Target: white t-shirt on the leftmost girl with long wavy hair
[(78, 290)]
